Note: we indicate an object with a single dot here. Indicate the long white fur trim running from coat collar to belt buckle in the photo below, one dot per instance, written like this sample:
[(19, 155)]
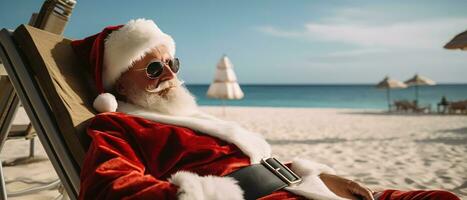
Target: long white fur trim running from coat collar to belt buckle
[(251, 144)]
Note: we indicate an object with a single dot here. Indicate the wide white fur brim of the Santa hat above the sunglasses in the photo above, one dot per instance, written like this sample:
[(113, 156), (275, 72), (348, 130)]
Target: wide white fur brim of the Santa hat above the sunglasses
[(128, 44)]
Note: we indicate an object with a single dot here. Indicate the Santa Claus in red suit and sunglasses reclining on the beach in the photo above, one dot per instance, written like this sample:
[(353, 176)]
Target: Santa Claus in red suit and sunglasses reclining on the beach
[(154, 142)]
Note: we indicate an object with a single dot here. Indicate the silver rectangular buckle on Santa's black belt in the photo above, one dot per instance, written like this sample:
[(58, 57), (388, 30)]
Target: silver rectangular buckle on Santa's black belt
[(278, 169)]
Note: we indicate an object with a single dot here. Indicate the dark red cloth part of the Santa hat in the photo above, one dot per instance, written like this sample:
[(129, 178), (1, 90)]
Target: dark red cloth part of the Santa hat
[(91, 50)]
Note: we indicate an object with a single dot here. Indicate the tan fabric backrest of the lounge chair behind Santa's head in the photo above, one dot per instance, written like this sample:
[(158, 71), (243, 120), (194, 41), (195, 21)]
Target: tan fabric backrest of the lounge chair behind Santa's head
[(63, 81)]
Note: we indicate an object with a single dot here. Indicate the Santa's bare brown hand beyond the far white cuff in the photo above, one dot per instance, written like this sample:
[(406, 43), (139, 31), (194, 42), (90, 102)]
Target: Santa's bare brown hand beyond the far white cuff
[(346, 188)]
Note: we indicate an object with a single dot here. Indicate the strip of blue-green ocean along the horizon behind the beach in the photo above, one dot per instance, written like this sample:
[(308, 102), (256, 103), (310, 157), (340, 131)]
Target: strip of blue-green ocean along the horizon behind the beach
[(331, 96)]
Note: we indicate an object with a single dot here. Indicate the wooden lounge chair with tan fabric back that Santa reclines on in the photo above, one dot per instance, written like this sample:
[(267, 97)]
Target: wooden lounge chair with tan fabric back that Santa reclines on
[(53, 89)]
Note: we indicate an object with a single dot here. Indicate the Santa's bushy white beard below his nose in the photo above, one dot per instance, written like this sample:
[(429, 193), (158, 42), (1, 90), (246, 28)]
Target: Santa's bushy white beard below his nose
[(178, 100)]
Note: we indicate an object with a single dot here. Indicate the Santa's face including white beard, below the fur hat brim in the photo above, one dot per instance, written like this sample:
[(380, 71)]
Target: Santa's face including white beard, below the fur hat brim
[(163, 93)]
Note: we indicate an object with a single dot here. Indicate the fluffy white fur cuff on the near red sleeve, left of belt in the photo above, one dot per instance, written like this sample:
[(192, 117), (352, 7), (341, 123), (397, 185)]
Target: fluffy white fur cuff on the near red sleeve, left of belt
[(195, 187)]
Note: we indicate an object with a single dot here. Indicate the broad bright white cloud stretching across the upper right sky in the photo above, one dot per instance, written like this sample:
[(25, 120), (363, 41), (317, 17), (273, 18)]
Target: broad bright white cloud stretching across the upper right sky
[(402, 34)]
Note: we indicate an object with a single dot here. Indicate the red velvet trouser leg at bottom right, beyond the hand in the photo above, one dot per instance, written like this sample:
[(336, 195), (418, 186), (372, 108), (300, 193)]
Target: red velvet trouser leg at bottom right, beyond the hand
[(418, 195)]
